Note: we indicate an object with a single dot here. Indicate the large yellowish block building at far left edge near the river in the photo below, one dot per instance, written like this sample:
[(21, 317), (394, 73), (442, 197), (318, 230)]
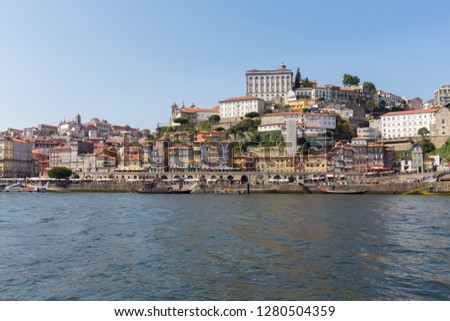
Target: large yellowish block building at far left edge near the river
[(16, 159)]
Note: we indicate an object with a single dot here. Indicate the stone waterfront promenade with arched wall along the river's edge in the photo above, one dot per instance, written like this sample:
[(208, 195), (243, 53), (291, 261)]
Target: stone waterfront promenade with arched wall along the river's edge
[(255, 182)]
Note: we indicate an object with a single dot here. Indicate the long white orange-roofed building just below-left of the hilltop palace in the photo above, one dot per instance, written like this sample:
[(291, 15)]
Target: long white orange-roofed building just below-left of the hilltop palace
[(235, 108)]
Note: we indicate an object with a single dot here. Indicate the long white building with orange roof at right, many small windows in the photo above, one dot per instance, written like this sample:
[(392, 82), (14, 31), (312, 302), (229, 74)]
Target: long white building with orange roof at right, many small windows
[(403, 124)]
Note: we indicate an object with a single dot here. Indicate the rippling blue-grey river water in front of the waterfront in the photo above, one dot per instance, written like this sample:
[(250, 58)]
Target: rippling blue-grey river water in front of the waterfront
[(223, 247)]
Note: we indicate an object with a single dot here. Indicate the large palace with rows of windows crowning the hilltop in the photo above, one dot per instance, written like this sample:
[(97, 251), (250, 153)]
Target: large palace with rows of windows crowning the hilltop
[(270, 85)]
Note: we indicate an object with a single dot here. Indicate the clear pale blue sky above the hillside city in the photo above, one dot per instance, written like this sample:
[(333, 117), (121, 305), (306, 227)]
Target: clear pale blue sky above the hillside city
[(128, 61)]
